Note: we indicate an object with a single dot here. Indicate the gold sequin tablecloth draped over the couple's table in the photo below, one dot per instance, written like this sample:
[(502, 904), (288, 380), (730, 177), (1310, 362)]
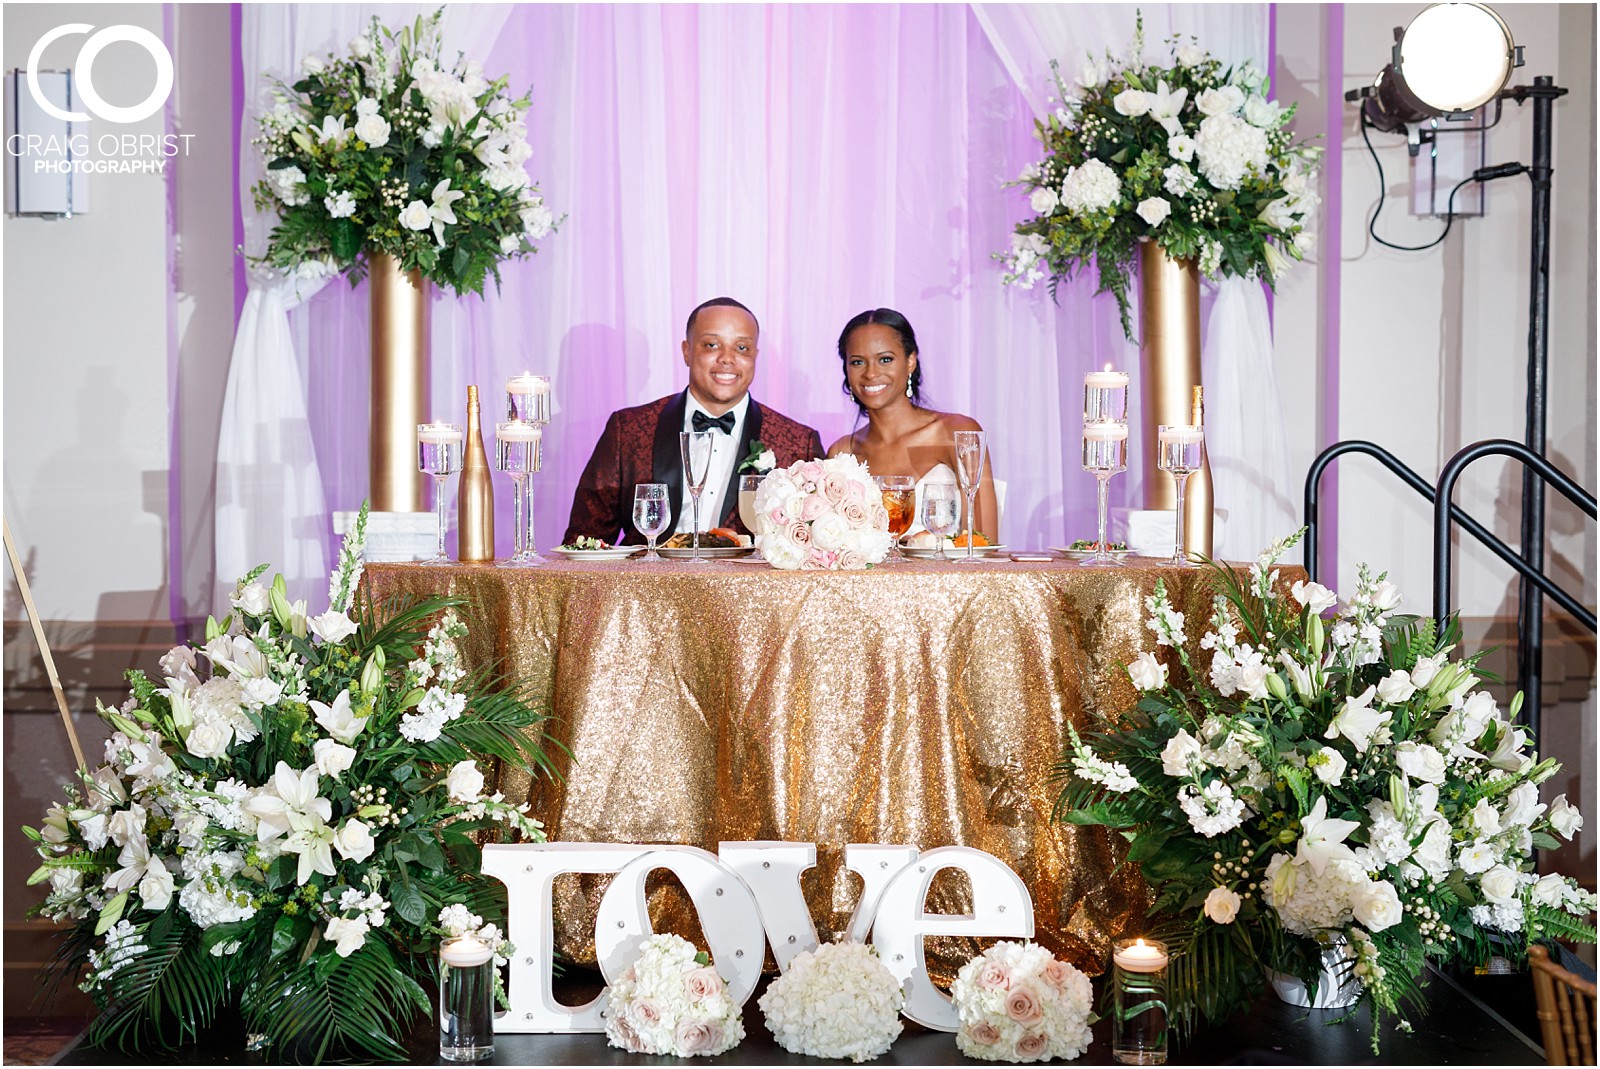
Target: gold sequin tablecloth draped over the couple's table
[(924, 703)]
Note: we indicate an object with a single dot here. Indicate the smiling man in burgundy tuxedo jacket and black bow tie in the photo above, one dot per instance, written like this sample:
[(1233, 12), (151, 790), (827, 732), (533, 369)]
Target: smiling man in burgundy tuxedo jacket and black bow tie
[(641, 446)]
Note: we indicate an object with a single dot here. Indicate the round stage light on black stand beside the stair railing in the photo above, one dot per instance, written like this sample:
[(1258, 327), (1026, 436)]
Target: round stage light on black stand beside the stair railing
[(1452, 60)]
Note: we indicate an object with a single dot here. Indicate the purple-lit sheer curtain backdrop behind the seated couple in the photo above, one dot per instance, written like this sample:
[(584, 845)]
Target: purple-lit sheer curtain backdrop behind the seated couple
[(807, 161)]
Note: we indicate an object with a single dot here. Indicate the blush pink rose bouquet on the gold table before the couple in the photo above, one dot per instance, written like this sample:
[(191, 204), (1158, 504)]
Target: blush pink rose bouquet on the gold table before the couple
[(822, 516)]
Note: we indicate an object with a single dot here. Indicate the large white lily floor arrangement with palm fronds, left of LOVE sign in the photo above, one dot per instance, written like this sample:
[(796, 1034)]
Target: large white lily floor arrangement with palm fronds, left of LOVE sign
[(278, 822)]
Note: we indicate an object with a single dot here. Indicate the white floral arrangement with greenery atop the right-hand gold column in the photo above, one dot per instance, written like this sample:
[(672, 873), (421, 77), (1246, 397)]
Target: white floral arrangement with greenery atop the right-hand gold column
[(1191, 156)]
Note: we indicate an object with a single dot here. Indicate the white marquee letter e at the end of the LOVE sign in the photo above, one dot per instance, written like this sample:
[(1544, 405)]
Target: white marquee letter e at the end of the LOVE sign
[(1001, 908)]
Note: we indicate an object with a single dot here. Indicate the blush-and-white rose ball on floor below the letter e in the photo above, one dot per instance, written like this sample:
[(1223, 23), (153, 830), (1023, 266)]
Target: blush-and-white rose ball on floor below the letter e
[(1020, 1004)]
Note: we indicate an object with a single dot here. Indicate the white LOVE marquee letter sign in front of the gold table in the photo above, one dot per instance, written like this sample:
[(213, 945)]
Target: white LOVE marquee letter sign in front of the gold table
[(746, 895)]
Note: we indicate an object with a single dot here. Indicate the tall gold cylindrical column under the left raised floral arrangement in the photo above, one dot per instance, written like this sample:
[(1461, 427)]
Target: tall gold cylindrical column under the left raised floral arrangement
[(399, 388)]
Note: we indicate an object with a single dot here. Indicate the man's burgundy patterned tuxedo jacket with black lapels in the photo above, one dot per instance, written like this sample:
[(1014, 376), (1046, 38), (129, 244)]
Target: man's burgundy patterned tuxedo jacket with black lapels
[(641, 446)]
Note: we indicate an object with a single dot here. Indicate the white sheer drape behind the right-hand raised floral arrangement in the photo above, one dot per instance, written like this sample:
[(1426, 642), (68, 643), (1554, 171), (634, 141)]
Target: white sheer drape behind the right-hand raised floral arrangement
[(1246, 436)]
